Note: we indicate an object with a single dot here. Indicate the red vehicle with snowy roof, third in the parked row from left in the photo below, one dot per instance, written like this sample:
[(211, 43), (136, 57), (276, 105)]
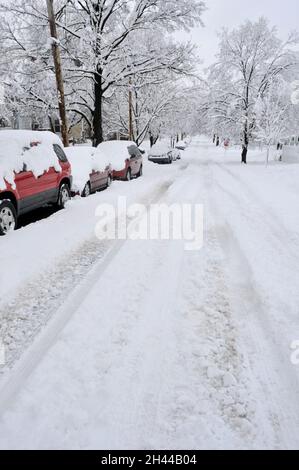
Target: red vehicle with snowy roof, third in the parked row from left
[(125, 158)]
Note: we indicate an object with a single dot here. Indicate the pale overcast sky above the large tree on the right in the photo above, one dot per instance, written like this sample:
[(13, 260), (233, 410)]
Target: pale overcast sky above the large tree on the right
[(230, 13)]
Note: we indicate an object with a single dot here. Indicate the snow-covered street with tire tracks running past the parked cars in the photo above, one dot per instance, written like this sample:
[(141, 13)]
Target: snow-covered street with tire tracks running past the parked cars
[(146, 345)]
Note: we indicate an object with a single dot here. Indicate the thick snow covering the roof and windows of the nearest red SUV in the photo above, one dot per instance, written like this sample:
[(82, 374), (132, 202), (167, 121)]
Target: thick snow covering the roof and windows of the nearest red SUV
[(35, 149)]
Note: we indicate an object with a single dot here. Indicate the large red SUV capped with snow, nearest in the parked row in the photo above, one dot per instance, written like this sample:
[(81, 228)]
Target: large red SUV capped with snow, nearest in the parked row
[(34, 171)]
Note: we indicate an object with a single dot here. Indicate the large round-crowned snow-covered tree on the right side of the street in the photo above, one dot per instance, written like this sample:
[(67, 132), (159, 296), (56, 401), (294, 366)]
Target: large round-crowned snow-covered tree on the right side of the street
[(250, 58)]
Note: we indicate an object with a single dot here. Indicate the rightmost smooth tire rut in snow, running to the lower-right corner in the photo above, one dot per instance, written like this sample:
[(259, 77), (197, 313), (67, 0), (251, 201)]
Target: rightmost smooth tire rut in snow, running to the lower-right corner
[(269, 377)]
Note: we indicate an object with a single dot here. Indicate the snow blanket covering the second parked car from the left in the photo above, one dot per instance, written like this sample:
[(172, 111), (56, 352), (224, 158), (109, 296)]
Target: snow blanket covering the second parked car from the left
[(84, 161)]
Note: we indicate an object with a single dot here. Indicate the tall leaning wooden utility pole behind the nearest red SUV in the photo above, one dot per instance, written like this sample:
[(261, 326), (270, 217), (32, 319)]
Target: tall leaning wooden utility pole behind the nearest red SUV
[(58, 73)]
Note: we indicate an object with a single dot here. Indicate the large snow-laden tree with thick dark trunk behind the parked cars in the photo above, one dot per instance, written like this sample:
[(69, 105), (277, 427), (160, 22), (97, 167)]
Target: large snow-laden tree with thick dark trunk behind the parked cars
[(97, 43)]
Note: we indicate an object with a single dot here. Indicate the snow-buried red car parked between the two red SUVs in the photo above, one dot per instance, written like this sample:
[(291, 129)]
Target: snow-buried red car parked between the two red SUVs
[(91, 170)]
